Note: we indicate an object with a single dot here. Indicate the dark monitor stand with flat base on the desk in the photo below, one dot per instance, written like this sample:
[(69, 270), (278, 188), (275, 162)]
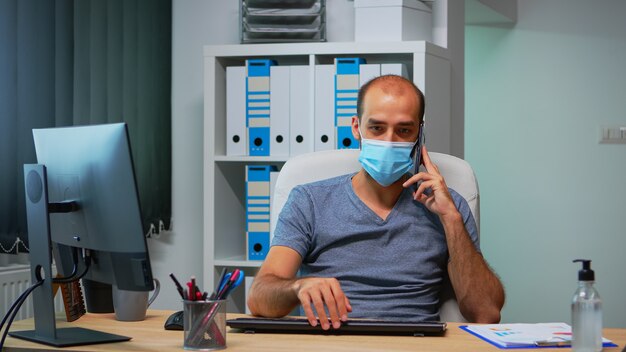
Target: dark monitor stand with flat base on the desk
[(38, 216)]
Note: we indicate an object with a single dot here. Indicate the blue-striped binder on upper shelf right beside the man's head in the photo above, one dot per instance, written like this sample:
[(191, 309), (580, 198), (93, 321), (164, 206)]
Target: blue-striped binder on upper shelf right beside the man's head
[(346, 93)]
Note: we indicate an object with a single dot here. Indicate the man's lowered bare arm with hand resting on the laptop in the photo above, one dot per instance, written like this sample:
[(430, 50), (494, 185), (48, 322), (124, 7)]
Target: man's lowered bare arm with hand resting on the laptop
[(275, 291)]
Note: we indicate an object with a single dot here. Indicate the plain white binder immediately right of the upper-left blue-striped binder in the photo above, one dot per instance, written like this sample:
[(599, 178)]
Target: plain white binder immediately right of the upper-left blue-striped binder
[(279, 110)]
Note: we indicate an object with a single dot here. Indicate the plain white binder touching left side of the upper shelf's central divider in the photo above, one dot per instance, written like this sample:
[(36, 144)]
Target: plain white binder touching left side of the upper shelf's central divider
[(301, 126)]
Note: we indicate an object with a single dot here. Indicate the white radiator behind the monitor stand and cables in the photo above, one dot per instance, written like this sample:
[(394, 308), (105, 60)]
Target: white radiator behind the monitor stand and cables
[(15, 279)]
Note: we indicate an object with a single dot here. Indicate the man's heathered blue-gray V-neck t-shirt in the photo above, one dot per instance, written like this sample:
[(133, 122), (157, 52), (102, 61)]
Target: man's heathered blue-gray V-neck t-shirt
[(389, 269)]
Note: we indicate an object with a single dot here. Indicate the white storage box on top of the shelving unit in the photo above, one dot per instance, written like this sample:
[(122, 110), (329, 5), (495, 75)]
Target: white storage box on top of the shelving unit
[(391, 20)]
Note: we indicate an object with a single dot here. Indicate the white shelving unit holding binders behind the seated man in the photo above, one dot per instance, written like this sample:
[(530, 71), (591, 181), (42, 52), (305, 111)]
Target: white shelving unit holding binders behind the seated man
[(224, 179)]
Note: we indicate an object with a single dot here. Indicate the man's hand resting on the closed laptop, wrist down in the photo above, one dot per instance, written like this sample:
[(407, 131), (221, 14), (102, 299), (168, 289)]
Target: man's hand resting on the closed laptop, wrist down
[(322, 293)]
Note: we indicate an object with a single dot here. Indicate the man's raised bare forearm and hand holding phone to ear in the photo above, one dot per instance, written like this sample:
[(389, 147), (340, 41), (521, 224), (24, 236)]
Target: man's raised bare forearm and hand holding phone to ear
[(478, 290)]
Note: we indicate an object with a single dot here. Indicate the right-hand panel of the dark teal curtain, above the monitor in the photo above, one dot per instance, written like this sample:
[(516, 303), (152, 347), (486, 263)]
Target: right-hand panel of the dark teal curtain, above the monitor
[(122, 72)]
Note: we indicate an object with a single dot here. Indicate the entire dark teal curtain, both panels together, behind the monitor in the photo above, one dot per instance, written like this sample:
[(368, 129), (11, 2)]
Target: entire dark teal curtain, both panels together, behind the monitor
[(78, 62)]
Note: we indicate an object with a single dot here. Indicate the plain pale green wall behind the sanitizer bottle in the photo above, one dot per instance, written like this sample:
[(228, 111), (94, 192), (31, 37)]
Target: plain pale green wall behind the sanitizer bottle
[(536, 95)]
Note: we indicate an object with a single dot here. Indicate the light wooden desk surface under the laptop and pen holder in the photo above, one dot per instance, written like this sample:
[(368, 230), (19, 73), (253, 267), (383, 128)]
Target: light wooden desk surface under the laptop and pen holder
[(149, 335)]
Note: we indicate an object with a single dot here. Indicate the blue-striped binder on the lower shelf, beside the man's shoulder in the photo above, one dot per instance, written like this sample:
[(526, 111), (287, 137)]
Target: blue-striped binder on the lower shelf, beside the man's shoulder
[(258, 211)]
